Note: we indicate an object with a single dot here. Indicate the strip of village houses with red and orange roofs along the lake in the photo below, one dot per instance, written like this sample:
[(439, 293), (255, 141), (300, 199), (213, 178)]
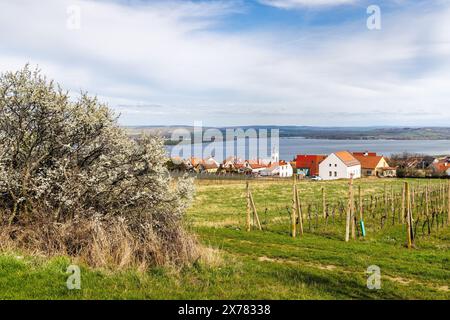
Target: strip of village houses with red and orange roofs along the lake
[(337, 165)]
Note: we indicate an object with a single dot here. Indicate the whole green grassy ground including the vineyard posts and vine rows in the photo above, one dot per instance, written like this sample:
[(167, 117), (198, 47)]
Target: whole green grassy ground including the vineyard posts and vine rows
[(272, 264)]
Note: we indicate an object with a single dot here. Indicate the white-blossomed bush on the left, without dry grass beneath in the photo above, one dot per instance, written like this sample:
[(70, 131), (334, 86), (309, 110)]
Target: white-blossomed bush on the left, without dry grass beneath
[(63, 160)]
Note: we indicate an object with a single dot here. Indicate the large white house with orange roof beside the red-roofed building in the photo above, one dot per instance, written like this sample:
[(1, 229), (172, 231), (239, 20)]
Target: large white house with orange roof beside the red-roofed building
[(340, 165)]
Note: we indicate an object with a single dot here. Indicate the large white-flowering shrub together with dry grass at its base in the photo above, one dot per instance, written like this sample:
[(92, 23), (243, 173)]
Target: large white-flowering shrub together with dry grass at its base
[(73, 182)]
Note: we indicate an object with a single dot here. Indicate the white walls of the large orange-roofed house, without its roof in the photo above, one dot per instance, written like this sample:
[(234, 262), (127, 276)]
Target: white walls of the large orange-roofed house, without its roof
[(337, 168)]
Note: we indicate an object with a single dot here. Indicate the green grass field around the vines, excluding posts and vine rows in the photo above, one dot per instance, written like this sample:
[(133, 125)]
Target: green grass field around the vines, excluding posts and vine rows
[(266, 264)]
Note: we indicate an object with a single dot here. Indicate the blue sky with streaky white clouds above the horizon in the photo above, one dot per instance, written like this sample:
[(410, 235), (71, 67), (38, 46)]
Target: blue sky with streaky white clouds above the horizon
[(241, 62)]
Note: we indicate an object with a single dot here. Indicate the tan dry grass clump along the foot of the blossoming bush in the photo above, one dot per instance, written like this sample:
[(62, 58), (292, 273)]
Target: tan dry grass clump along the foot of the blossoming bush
[(107, 243)]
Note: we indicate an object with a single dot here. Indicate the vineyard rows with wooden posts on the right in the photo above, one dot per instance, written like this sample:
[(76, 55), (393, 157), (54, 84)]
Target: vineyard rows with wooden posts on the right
[(422, 207)]
